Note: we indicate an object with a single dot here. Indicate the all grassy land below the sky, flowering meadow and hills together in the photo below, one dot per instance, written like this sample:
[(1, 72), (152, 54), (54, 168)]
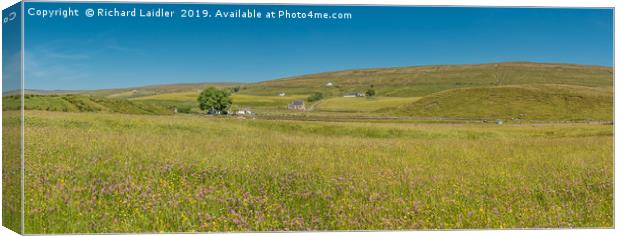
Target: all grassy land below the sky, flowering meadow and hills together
[(424, 153)]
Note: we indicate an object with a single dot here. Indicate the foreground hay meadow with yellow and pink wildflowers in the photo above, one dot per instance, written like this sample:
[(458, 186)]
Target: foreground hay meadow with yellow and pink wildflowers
[(144, 173)]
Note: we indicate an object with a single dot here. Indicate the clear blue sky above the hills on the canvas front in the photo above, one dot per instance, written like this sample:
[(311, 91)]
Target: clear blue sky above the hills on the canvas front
[(100, 52)]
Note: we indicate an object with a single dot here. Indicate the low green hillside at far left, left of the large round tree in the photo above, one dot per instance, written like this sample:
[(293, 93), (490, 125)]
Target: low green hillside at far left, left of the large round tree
[(81, 103)]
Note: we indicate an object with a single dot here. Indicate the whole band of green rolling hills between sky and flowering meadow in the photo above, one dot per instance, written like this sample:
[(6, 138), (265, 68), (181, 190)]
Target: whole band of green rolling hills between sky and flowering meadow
[(511, 90)]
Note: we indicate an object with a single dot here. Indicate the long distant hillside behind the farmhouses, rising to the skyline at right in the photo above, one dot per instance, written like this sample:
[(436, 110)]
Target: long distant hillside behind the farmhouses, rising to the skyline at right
[(424, 80)]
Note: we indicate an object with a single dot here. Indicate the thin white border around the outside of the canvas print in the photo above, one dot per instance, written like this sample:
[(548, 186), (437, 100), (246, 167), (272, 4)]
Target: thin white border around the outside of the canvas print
[(516, 3)]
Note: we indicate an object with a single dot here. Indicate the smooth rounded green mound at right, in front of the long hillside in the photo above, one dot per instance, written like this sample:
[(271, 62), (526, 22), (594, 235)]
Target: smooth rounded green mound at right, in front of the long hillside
[(530, 102)]
